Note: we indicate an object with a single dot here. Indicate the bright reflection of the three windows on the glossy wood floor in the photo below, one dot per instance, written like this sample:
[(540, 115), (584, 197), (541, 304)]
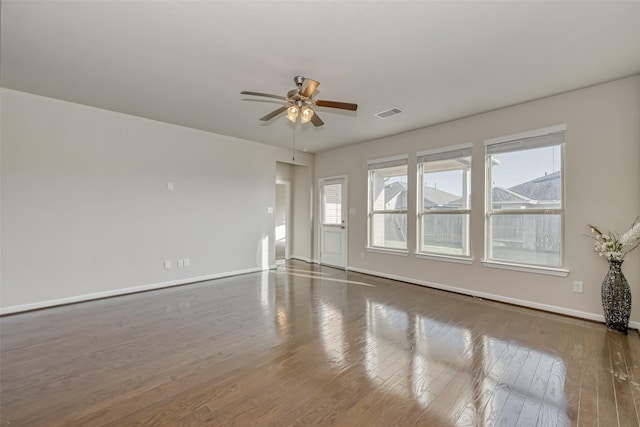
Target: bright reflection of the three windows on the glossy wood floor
[(487, 381)]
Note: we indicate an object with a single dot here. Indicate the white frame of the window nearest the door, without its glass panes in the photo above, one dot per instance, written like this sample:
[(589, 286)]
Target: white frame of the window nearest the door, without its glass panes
[(372, 166)]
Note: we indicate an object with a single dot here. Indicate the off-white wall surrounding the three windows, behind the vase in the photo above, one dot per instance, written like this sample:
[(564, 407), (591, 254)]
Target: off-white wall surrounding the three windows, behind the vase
[(602, 185)]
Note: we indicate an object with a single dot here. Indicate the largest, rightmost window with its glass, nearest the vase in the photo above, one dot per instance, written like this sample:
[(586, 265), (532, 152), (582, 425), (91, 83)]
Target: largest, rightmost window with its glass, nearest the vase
[(525, 193)]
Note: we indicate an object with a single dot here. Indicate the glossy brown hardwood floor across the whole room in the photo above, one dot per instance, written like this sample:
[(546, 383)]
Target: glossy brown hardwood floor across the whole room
[(310, 345)]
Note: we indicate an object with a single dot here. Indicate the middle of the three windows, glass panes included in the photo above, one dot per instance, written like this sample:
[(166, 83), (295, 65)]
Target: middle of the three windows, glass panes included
[(444, 201)]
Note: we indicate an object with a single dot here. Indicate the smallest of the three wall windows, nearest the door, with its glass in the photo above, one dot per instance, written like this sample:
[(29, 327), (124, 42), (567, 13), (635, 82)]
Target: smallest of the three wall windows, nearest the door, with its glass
[(388, 203)]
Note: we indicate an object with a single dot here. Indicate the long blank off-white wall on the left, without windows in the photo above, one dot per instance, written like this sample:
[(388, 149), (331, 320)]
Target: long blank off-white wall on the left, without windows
[(86, 209)]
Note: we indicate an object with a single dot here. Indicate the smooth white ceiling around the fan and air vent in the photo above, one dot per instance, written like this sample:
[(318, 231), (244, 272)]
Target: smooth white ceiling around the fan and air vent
[(185, 62)]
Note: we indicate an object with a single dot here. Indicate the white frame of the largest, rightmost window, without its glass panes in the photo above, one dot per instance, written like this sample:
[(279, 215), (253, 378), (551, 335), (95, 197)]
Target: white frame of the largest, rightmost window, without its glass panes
[(553, 136)]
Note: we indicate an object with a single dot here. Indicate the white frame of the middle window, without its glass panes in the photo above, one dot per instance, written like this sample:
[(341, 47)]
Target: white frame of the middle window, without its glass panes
[(423, 158)]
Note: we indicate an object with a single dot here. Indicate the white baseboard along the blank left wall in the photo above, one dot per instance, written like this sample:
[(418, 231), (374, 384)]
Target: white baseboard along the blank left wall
[(117, 292)]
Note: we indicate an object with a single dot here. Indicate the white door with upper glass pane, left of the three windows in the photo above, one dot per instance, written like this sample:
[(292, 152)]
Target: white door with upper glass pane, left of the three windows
[(333, 224)]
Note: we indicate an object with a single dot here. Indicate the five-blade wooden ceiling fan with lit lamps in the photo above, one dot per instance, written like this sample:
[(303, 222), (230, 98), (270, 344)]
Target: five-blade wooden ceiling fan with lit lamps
[(300, 102)]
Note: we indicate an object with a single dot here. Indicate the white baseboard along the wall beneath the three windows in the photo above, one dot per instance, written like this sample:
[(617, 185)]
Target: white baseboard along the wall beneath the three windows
[(493, 297)]
